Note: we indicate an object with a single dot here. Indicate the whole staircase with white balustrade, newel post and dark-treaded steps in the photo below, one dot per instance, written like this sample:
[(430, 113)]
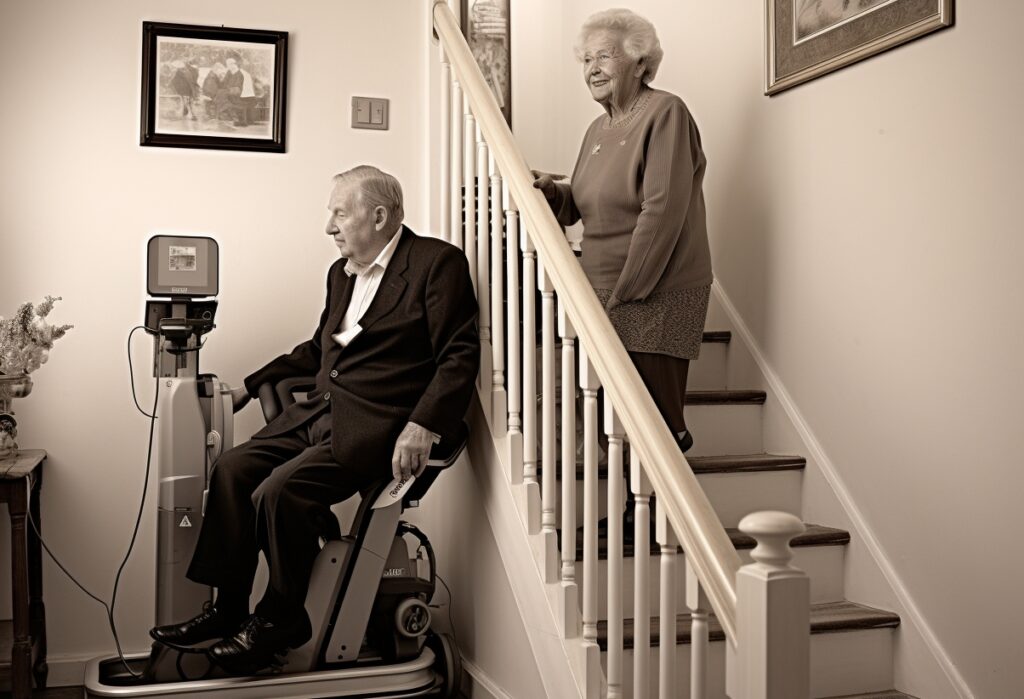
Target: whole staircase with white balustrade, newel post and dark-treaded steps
[(762, 593)]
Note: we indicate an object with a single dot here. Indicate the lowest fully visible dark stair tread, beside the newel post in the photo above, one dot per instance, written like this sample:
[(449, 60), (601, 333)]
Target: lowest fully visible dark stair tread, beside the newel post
[(829, 618)]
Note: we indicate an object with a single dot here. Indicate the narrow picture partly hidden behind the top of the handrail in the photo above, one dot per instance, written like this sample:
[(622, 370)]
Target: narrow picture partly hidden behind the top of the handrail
[(486, 25)]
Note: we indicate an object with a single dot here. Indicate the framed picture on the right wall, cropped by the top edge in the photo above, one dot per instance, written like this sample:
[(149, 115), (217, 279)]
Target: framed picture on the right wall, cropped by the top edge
[(809, 38)]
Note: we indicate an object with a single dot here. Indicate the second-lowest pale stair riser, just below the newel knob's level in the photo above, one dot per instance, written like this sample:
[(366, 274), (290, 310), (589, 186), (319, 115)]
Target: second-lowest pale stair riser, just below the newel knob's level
[(823, 564)]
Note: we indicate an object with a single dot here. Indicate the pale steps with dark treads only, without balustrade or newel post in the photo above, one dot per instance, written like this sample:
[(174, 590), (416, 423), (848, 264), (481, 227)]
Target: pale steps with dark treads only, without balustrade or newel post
[(851, 644)]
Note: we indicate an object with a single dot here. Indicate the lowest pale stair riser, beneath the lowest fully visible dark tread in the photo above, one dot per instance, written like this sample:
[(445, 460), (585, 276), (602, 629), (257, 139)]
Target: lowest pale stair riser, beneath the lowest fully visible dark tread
[(841, 664)]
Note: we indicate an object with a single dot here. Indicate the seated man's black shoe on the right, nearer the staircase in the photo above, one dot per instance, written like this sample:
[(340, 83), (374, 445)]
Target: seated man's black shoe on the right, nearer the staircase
[(258, 645)]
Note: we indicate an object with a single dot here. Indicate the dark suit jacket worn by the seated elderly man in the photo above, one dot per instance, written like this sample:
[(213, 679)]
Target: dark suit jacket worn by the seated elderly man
[(416, 360)]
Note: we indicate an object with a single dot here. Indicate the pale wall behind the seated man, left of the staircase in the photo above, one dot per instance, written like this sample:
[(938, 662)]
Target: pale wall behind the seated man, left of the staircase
[(79, 198)]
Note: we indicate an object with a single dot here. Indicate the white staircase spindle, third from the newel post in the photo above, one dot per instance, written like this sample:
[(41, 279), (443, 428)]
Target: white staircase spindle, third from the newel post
[(642, 562)]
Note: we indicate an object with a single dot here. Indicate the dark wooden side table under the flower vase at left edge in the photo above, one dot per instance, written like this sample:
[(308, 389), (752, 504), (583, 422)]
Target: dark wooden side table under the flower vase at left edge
[(21, 480)]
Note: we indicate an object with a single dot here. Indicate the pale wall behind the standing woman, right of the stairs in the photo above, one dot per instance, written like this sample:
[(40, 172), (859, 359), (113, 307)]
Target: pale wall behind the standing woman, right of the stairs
[(866, 228)]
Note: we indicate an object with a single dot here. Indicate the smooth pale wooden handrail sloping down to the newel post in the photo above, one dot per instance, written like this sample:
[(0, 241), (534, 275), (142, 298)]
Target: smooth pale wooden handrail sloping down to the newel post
[(708, 547)]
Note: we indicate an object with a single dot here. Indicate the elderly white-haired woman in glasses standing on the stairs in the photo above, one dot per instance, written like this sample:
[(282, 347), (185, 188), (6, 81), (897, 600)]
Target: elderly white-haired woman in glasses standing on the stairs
[(637, 188)]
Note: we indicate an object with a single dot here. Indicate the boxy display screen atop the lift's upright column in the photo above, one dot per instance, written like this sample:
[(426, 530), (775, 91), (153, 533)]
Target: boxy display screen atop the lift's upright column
[(183, 267)]
